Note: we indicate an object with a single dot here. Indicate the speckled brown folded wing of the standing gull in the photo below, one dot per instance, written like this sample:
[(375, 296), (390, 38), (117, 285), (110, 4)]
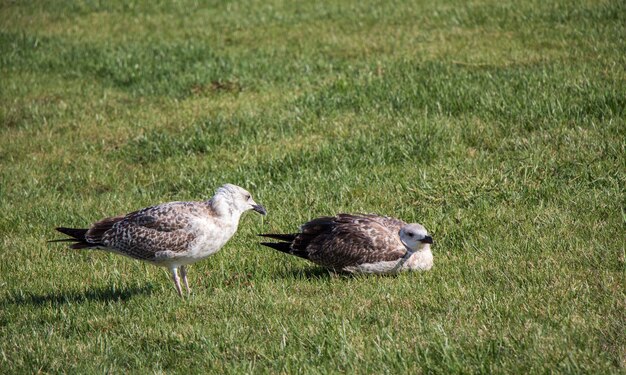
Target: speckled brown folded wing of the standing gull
[(145, 233)]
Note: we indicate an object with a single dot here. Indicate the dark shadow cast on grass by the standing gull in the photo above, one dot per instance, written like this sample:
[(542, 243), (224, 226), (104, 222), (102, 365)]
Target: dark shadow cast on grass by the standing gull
[(105, 294)]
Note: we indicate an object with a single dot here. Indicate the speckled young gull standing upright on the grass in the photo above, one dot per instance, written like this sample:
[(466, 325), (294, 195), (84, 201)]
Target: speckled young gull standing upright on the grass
[(171, 235)]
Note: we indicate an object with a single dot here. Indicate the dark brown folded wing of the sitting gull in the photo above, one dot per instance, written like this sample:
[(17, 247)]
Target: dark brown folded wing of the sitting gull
[(350, 240)]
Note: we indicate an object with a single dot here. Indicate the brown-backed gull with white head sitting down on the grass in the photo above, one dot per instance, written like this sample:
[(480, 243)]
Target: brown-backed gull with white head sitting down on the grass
[(359, 243)]
